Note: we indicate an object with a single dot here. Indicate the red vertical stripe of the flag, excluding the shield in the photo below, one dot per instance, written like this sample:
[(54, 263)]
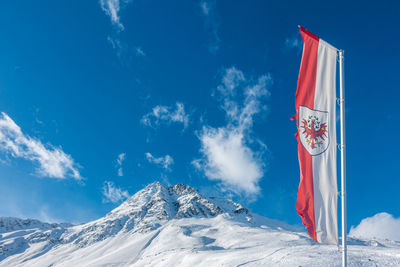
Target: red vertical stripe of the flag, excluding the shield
[(305, 97)]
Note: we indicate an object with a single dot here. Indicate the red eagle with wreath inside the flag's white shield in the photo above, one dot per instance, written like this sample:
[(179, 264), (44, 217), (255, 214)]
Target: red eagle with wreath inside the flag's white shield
[(314, 131)]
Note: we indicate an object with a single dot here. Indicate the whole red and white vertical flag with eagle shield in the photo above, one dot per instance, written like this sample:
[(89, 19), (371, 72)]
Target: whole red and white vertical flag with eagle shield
[(316, 124)]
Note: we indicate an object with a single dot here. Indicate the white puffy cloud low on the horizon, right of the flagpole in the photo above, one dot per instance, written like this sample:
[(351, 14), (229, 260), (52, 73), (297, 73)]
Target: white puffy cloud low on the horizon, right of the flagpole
[(380, 226)]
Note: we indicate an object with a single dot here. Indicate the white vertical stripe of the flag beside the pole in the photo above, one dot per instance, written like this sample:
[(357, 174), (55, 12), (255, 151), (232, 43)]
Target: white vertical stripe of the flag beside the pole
[(324, 164)]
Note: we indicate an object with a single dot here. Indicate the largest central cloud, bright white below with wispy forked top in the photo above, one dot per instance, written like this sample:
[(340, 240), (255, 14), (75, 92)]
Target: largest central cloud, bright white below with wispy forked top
[(228, 153)]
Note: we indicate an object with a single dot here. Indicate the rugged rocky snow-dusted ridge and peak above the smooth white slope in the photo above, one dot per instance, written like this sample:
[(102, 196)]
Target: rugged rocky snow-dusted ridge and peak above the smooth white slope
[(145, 211)]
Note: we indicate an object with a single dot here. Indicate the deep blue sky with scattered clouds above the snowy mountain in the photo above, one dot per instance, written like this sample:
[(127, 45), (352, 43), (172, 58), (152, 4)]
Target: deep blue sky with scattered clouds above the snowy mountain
[(100, 98)]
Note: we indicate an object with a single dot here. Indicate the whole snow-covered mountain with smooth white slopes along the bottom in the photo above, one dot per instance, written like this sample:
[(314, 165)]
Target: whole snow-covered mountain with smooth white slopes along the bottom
[(177, 226)]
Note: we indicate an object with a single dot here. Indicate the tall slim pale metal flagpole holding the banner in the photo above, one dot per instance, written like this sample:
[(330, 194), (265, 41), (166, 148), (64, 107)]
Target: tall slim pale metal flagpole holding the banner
[(343, 159)]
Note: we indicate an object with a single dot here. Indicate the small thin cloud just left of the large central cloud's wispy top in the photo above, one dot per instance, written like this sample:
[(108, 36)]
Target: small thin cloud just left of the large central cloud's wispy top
[(164, 114)]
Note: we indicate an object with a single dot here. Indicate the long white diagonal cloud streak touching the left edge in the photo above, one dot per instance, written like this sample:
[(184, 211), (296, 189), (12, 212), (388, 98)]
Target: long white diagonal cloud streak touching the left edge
[(52, 161)]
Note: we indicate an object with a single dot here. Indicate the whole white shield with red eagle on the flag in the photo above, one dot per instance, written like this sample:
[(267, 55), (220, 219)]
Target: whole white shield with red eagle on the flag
[(313, 130)]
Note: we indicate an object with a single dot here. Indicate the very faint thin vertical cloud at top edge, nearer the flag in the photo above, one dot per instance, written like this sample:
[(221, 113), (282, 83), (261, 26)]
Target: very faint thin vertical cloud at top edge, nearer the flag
[(208, 11)]
